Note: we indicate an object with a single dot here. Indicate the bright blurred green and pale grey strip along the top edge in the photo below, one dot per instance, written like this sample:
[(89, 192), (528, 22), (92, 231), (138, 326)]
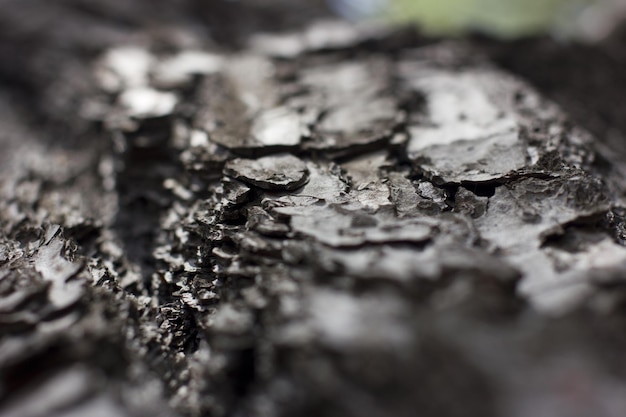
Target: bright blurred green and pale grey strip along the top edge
[(586, 19)]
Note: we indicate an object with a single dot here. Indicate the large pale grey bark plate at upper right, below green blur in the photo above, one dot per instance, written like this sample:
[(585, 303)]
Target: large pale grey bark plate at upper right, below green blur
[(473, 129)]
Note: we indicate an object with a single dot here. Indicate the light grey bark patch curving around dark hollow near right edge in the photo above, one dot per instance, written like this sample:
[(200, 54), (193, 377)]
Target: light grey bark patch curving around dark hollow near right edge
[(536, 208)]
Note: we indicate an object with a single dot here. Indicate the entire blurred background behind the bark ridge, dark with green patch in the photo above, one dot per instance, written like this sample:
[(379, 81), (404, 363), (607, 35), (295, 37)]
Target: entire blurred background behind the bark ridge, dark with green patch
[(572, 50)]
